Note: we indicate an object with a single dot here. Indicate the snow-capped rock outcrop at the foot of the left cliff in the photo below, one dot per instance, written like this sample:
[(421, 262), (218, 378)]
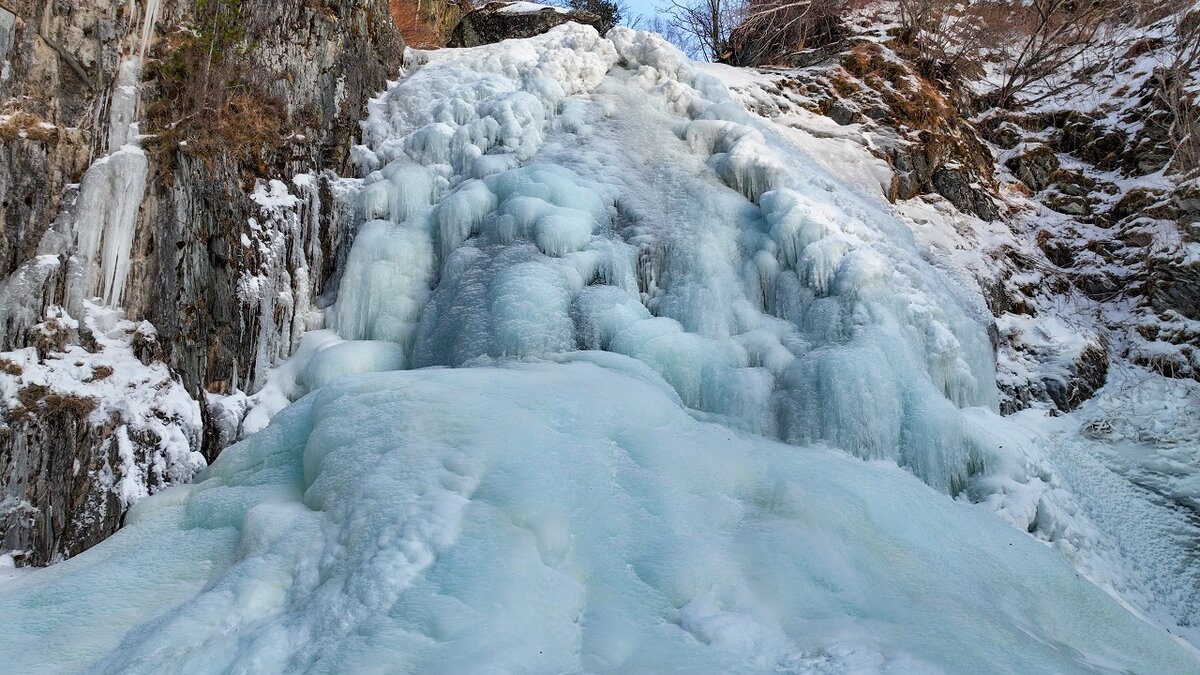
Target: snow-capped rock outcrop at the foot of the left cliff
[(147, 427)]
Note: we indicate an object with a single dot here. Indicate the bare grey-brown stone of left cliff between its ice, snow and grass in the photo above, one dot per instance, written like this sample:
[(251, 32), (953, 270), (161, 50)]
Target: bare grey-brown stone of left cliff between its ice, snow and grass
[(321, 62)]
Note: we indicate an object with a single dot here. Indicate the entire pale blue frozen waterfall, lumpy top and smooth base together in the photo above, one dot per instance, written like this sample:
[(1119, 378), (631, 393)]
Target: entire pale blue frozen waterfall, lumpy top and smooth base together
[(691, 282)]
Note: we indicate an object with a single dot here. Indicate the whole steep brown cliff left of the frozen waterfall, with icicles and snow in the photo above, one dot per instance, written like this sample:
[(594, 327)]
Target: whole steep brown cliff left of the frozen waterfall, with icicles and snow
[(224, 282)]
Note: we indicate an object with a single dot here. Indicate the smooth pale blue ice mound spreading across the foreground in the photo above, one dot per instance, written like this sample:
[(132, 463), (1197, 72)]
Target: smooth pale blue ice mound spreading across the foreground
[(554, 518)]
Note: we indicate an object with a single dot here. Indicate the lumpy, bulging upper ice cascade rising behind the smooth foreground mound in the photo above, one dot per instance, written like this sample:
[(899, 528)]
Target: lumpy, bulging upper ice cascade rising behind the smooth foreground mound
[(569, 192)]
